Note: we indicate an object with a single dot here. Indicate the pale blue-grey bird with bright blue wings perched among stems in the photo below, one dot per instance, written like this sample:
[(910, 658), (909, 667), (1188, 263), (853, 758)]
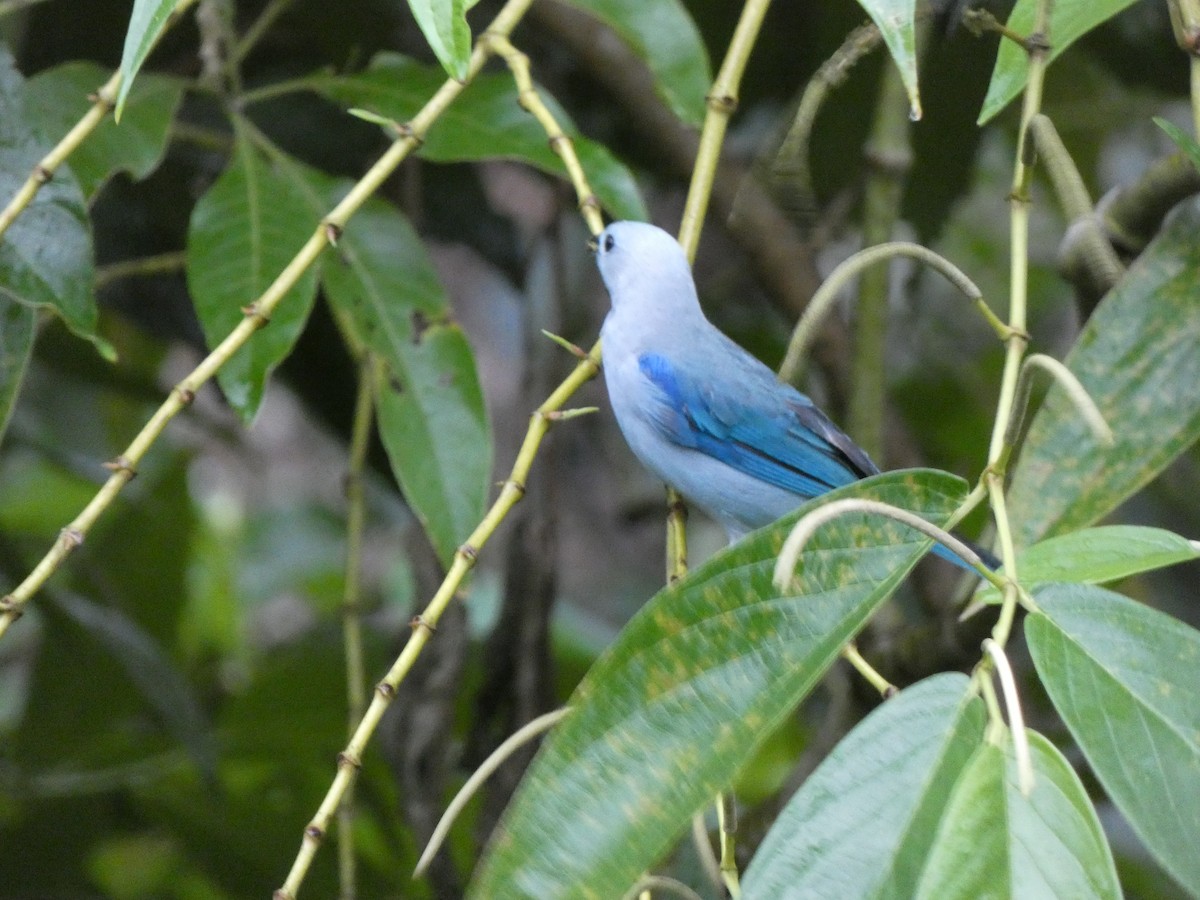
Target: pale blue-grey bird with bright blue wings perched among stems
[(699, 411)]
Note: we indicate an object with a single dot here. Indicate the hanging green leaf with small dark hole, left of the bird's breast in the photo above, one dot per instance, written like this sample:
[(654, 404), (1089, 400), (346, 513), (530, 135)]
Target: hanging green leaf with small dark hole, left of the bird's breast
[(385, 291)]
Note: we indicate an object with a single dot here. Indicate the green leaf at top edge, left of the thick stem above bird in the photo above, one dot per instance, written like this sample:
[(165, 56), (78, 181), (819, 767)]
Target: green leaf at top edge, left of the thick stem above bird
[(664, 35)]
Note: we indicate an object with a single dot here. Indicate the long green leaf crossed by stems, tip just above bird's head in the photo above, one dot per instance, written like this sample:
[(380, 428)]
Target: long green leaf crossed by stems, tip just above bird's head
[(485, 123)]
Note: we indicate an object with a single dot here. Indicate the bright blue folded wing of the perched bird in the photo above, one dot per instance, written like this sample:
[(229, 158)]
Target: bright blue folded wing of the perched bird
[(749, 421)]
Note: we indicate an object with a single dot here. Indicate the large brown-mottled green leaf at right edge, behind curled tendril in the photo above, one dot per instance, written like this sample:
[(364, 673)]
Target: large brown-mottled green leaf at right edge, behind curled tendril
[(1137, 358)]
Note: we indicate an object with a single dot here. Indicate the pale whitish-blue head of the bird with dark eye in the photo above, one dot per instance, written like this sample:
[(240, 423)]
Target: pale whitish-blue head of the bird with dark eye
[(645, 271)]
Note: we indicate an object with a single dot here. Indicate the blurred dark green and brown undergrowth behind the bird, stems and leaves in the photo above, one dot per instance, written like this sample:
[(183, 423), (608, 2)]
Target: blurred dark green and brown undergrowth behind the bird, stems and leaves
[(172, 705)]
